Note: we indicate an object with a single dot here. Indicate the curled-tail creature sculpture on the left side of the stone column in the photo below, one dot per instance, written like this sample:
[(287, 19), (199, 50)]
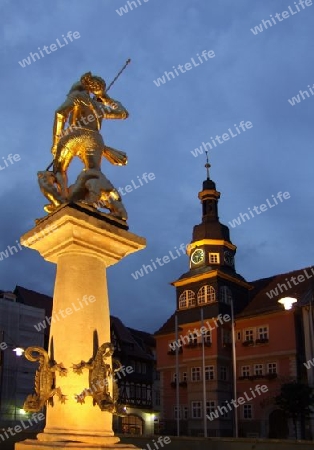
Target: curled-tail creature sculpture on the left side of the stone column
[(45, 378)]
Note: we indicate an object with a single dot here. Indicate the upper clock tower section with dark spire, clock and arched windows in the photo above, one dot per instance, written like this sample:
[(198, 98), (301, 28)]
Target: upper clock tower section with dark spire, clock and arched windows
[(212, 280)]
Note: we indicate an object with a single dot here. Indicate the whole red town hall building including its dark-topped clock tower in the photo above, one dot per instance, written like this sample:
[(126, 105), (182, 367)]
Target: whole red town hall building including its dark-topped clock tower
[(270, 344)]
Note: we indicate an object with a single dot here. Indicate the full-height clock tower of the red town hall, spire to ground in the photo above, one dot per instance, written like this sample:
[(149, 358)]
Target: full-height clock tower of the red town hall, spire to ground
[(195, 345)]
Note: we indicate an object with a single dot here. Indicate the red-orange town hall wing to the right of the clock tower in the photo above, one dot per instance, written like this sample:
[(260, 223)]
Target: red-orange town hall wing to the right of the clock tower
[(271, 345)]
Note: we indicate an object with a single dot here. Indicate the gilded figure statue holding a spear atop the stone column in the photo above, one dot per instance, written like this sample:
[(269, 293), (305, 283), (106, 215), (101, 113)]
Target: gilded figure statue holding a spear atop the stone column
[(76, 132)]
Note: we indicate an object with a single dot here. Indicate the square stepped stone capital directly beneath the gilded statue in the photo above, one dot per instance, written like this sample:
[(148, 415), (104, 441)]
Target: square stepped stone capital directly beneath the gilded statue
[(79, 229)]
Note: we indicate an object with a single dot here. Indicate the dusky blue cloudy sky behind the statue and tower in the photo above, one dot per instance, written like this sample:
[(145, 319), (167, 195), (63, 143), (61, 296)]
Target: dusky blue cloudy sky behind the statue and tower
[(250, 78)]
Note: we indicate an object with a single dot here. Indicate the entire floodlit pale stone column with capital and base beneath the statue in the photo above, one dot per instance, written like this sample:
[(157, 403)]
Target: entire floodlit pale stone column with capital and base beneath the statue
[(83, 243)]
